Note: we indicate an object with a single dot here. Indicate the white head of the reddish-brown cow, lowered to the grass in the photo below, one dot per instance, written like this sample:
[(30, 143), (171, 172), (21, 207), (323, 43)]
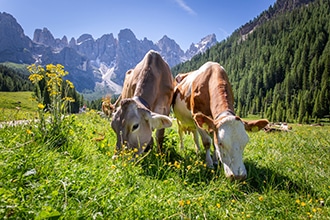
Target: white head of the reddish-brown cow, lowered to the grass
[(230, 139)]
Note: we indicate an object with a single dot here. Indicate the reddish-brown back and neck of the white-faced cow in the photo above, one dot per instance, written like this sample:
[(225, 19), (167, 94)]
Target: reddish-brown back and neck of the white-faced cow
[(207, 90)]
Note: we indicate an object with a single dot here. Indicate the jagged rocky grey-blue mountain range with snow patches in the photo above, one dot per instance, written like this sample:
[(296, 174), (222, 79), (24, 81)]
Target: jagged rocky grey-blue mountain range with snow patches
[(94, 64)]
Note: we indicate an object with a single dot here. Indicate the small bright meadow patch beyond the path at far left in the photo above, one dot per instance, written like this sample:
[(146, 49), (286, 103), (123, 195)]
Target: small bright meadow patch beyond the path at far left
[(17, 106)]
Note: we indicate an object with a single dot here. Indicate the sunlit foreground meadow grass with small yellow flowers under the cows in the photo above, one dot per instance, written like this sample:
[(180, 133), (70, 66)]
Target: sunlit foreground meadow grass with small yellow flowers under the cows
[(288, 177)]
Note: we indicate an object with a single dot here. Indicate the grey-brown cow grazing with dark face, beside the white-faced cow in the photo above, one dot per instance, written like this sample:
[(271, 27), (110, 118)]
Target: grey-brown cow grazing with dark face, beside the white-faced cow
[(145, 103)]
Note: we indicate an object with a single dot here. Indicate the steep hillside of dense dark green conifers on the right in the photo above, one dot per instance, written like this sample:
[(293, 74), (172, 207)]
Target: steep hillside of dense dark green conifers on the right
[(280, 70)]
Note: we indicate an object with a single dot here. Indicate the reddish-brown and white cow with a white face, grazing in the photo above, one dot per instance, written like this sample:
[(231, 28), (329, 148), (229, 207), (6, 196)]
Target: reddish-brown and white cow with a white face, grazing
[(204, 98)]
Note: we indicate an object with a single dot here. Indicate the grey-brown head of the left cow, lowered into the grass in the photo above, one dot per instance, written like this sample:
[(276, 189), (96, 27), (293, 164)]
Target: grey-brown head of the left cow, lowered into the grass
[(134, 124)]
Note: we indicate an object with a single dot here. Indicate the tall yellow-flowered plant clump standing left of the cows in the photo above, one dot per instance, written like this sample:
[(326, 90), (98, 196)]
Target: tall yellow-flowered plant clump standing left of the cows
[(53, 103)]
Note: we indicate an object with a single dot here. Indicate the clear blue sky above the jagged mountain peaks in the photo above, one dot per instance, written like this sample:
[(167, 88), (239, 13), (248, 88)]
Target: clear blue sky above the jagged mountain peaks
[(185, 21)]
